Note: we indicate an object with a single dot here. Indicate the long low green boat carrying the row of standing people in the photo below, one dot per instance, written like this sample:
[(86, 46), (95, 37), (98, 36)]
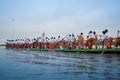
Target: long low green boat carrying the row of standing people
[(81, 50)]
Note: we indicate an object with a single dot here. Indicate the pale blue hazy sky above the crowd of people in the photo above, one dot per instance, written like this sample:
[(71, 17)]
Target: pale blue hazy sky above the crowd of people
[(30, 18)]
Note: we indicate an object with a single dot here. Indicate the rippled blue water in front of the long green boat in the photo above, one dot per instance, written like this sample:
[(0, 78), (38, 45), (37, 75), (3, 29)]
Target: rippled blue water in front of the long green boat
[(38, 65)]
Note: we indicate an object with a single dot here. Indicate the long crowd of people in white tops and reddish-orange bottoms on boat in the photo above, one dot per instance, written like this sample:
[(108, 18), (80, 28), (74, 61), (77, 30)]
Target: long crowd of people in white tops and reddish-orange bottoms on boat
[(70, 41)]
